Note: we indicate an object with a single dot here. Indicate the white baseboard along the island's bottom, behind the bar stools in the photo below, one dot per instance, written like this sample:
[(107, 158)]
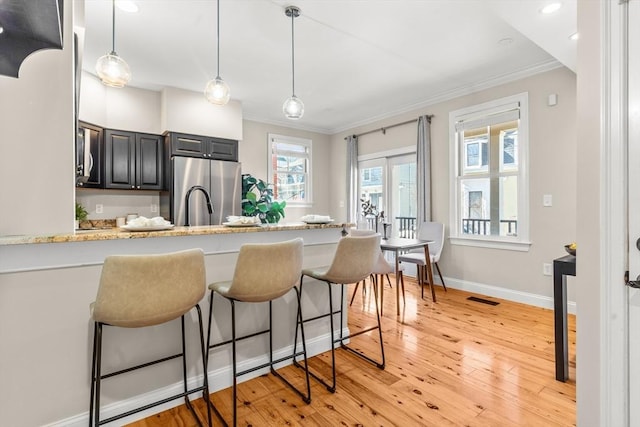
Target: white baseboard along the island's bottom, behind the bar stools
[(218, 379)]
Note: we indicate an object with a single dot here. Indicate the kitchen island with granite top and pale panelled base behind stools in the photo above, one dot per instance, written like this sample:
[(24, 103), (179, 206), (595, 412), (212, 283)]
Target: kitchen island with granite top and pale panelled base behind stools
[(47, 283)]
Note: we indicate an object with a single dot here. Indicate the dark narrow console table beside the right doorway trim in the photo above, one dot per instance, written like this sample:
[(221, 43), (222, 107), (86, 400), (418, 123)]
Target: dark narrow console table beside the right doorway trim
[(562, 267)]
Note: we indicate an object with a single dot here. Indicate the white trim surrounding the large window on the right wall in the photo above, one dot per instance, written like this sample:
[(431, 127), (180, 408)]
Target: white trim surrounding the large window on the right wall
[(521, 242)]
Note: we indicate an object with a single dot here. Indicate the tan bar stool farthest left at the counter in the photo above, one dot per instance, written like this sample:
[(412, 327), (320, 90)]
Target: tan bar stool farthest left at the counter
[(145, 290)]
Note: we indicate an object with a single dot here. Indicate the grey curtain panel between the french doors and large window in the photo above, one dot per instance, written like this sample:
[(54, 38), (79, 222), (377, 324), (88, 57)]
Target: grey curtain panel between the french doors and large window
[(423, 169)]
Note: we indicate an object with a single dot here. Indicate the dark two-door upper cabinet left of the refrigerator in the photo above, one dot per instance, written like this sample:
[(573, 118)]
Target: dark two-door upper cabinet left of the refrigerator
[(133, 160)]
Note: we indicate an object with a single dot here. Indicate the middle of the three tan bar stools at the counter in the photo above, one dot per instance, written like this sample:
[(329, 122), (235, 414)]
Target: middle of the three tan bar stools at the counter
[(263, 272)]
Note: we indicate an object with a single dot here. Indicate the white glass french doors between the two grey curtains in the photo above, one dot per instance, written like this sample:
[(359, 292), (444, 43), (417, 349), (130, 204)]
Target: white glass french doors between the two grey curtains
[(389, 183)]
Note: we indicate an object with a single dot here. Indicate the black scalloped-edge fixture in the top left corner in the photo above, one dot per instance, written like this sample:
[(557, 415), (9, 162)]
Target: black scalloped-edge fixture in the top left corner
[(29, 25)]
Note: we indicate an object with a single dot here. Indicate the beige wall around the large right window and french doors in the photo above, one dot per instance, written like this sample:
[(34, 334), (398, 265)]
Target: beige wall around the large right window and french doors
[(552, 142)]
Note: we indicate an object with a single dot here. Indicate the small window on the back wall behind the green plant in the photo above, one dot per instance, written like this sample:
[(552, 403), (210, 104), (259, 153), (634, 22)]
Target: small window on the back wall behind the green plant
[(290, 169)]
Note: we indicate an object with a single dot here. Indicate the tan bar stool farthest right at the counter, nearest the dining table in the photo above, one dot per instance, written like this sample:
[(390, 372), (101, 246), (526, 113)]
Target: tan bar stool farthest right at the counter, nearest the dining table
[(353, 261)]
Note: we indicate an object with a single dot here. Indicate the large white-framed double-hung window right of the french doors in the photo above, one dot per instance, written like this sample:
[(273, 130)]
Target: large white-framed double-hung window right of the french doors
[(492, 114)]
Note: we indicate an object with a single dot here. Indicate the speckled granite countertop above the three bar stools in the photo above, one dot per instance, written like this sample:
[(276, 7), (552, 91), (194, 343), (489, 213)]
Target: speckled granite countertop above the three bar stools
[(113, 233)]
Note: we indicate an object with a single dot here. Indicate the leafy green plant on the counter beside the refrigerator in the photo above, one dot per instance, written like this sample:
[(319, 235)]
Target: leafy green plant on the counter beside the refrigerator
[(257, 200)]
